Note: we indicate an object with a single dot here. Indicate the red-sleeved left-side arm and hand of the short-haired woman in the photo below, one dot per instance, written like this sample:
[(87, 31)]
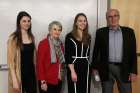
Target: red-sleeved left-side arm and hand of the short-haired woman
[(41, 65)]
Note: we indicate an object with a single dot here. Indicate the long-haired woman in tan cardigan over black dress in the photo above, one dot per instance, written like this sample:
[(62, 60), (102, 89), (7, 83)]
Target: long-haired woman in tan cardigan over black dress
[(20, 57)]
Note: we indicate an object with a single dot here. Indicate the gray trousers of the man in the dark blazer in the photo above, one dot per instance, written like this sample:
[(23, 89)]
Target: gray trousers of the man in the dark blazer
[(114, 75)]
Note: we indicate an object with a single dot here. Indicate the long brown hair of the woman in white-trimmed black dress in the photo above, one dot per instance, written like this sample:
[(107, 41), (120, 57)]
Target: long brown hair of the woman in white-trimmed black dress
[(85, 37)]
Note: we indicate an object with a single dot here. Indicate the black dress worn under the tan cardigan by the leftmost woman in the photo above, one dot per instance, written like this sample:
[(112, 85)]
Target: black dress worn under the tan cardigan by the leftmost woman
[(27, 69)]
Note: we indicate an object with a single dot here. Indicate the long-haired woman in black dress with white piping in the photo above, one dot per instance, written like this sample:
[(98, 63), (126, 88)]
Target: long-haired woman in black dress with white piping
[(77, 46)]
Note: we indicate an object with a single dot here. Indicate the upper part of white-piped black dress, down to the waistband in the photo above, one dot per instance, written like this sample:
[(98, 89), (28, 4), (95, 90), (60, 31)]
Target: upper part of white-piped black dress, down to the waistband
[(74, 48)]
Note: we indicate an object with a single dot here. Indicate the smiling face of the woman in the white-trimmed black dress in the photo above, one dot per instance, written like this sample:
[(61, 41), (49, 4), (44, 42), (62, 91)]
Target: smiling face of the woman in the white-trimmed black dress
[(81, 23)]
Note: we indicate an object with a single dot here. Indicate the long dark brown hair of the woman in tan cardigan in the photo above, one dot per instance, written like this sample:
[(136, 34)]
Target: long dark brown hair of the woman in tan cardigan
[(17, 34)]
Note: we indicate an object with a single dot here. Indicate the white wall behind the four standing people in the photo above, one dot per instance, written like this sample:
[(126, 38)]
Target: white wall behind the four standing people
[(43, 12)]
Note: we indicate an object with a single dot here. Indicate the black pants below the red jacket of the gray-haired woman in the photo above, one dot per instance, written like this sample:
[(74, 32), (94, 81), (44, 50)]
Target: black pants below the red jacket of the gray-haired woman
[(51, 88)]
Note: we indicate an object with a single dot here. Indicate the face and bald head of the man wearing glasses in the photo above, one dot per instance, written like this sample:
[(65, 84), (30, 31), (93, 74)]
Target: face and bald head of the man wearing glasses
[(113, 18)]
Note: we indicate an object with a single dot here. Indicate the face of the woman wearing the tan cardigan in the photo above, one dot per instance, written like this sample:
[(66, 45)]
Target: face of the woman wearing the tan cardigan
[(25, 23)]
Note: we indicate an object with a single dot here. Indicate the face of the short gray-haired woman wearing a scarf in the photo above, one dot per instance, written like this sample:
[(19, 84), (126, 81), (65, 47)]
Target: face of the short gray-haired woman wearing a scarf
[(55, 31)]
